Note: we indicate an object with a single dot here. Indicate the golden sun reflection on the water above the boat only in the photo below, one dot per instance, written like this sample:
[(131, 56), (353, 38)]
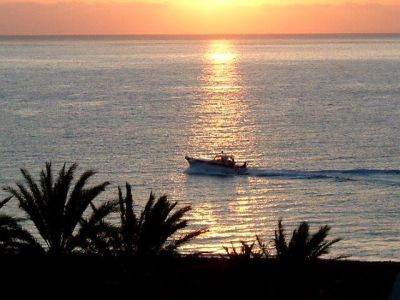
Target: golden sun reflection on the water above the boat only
[(222, 110)]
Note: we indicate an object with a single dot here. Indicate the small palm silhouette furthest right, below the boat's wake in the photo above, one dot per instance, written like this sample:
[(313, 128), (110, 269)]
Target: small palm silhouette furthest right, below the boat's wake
[(303, 245)]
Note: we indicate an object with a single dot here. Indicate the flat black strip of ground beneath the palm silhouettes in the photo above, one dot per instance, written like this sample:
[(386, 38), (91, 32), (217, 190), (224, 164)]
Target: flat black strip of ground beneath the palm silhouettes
[(195, 278)]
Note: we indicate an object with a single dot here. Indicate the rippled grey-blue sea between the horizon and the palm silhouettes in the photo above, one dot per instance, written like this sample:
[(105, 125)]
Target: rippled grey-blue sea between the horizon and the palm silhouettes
[(317, 118)]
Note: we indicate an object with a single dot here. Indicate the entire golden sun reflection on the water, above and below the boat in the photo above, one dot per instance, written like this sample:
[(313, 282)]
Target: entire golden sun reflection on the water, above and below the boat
[(224, 124)]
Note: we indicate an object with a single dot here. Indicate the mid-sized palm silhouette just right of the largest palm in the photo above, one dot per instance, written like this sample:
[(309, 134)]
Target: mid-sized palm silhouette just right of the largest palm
[(155, 231)]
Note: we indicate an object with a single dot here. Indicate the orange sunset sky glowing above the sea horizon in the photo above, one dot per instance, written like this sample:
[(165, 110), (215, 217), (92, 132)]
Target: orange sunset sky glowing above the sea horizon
[(58, 17)]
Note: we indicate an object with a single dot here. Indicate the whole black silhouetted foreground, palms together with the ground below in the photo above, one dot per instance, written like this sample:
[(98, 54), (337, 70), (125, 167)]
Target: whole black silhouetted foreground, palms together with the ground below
[(77, 251)]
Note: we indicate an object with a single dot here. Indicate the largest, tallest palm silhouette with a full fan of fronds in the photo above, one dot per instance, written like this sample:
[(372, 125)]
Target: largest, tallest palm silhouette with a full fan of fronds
[(56, 208)]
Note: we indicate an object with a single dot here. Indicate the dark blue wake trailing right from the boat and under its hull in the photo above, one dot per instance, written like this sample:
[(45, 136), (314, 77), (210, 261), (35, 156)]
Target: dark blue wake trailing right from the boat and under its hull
[(391, 177)]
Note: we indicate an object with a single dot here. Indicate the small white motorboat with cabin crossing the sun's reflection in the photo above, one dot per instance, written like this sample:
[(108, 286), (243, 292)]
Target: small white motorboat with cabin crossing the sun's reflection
[(221, 162)]
